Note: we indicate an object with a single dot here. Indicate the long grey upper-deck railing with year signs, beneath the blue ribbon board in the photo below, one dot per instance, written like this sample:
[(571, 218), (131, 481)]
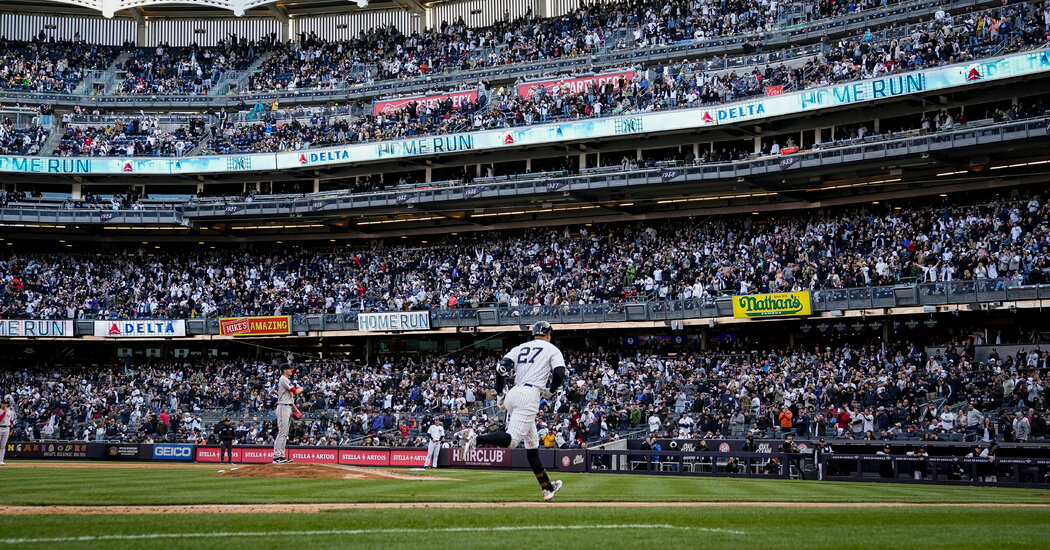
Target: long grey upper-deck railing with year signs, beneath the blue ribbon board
[(844, 153)]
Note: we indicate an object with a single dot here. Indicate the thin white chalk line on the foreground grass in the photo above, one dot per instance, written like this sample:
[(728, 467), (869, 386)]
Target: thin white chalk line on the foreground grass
[(539, 528)]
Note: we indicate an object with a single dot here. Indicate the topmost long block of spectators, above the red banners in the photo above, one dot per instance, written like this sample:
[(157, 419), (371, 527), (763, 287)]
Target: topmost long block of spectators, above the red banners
[(388, 54)]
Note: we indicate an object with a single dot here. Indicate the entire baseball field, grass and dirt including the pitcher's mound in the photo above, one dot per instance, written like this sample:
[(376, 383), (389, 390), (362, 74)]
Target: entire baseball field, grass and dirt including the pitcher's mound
[(296, 506)]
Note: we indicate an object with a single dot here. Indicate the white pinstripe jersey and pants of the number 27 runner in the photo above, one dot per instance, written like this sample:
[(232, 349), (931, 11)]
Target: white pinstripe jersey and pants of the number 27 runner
[(534, 362)]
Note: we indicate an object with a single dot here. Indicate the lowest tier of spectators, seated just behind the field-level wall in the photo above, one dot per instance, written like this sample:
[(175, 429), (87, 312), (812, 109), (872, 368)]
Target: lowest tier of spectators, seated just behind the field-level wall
[(853, 391)]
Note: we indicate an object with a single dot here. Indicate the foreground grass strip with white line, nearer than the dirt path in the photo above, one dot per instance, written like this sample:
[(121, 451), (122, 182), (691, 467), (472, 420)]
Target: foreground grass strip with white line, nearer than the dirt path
[(556, 528)]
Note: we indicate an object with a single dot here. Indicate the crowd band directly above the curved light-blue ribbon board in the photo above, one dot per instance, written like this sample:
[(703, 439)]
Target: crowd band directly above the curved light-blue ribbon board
[(660, 87)]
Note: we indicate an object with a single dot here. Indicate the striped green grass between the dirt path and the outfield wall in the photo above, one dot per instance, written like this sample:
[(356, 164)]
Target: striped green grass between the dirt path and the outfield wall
[(148, 486)]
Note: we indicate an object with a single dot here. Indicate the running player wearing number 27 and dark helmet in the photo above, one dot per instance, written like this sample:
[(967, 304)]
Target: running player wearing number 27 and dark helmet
[(533, 363)]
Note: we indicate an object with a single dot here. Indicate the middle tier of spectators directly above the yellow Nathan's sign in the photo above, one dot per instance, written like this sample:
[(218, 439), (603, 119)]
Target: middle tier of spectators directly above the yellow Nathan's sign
[(1005, 243)]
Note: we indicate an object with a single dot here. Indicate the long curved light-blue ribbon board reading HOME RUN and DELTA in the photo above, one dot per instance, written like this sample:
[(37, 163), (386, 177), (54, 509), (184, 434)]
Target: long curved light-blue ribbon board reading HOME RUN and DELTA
[(799, 103)]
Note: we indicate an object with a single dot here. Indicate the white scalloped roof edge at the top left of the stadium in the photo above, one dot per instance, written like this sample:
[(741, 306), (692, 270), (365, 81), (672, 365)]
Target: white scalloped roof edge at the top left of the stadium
[(196, 9)]
